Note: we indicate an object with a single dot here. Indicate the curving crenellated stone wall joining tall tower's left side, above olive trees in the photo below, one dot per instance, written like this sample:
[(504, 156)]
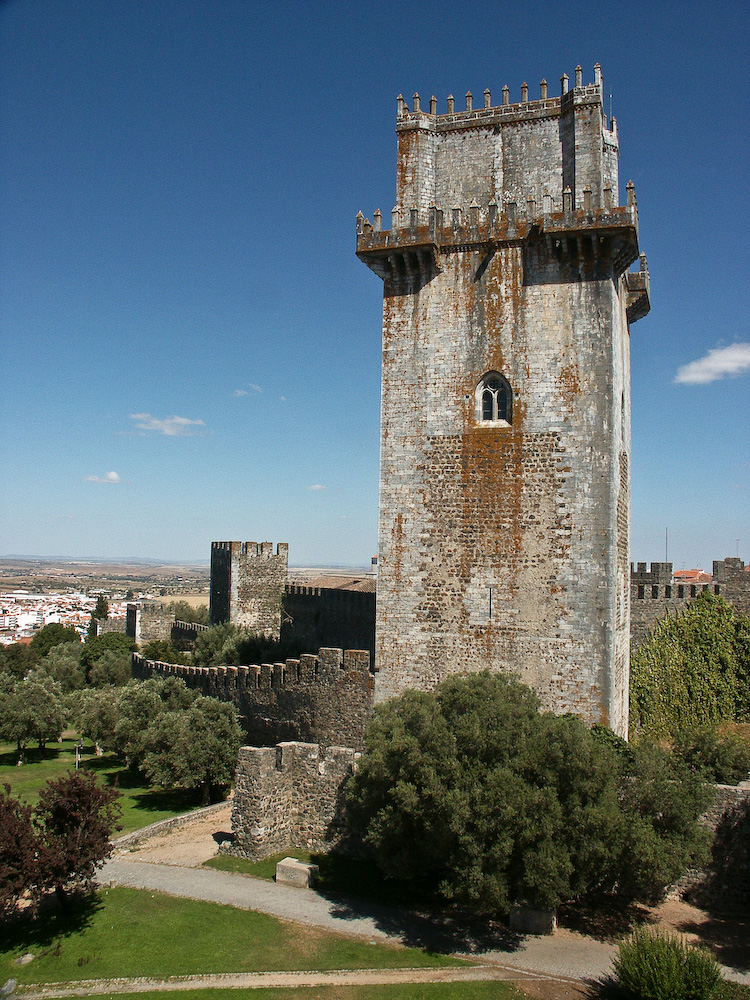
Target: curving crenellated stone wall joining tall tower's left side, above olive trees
[(326, 699)]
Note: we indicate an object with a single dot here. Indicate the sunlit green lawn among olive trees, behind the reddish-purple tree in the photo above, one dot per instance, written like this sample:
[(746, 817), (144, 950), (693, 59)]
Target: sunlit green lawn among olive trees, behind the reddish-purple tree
[(140, 803)]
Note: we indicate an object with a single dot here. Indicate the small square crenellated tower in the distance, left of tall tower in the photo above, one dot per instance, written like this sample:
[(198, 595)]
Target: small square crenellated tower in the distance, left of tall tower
[(247, 583)]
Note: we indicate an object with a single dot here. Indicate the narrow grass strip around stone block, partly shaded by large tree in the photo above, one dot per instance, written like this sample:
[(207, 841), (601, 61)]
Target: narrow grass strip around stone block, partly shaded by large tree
[(339, 876)]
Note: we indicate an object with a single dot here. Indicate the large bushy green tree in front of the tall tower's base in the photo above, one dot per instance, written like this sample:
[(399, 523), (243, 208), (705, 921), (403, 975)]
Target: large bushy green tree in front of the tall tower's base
[(473, 790)]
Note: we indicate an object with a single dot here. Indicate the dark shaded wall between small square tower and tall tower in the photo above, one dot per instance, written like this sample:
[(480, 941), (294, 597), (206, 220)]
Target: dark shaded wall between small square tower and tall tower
[(322, 616)]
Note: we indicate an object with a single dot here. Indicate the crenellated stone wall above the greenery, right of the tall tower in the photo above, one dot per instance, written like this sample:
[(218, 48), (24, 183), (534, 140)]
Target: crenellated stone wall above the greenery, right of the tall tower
[(653, 595)]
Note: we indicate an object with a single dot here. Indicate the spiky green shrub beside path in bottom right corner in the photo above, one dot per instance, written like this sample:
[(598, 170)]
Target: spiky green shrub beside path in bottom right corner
[(656, 966)]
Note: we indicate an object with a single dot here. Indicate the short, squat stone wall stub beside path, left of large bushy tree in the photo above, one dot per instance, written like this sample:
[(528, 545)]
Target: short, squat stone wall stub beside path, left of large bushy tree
[(287, 796)]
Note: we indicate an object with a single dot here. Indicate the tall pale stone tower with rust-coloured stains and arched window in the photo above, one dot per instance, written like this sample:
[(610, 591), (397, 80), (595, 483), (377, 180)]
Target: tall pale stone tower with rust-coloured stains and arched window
[(505, 414)]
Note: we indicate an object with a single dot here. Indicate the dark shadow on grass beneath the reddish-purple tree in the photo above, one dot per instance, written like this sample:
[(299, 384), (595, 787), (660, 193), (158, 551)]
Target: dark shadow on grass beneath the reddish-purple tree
[(42, 931)]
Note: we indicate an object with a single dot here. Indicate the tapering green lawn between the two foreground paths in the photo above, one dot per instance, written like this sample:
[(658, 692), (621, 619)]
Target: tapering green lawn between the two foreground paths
[(133, 932)]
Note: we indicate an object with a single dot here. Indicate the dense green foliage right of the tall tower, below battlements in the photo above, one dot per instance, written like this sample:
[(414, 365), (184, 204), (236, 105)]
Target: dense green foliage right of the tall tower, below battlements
[(693, 670)]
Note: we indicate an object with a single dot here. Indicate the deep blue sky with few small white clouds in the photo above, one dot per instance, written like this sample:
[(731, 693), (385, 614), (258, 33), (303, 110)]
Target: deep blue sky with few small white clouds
[(191, 350)]
